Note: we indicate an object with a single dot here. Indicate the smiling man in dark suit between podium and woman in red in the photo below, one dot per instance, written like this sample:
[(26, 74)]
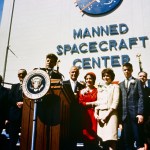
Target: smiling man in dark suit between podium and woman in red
[(72, 86)]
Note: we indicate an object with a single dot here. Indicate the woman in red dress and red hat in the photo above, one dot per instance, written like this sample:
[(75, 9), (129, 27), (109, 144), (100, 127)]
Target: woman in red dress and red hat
[(89, 123)]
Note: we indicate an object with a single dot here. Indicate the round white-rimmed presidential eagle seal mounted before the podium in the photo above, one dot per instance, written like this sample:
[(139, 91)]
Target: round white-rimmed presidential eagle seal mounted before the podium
[(36, 84)]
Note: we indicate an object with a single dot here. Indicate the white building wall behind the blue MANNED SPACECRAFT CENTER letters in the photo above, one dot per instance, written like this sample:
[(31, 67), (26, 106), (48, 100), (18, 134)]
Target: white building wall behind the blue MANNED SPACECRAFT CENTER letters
[(39, 26)]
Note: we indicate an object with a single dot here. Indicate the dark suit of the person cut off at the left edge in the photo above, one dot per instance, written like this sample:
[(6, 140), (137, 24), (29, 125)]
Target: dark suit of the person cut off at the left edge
[(3, 106)]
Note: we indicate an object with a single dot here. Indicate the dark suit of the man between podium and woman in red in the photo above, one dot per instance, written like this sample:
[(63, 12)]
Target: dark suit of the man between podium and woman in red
[(75, 113)]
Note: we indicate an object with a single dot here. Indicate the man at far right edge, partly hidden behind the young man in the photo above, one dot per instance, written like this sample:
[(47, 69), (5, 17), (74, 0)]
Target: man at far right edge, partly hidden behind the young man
[(143, 77)]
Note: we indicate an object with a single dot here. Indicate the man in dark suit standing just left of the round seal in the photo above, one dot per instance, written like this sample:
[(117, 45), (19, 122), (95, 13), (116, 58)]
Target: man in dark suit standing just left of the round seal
[(15, 112)]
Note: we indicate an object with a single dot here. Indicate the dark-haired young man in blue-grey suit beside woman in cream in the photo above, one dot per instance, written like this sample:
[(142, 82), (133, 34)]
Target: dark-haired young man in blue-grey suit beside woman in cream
[(132, 109)]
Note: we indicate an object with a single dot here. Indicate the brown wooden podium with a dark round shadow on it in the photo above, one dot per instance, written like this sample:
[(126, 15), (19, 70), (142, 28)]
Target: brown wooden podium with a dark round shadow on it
[(52, 124)]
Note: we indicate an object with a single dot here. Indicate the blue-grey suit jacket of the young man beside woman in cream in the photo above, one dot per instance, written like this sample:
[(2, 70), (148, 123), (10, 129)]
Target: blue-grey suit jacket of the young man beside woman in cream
[(131, 101)]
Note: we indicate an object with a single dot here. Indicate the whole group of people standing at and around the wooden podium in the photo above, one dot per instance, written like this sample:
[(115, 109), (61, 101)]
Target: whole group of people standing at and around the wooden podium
[(97, 112)]
